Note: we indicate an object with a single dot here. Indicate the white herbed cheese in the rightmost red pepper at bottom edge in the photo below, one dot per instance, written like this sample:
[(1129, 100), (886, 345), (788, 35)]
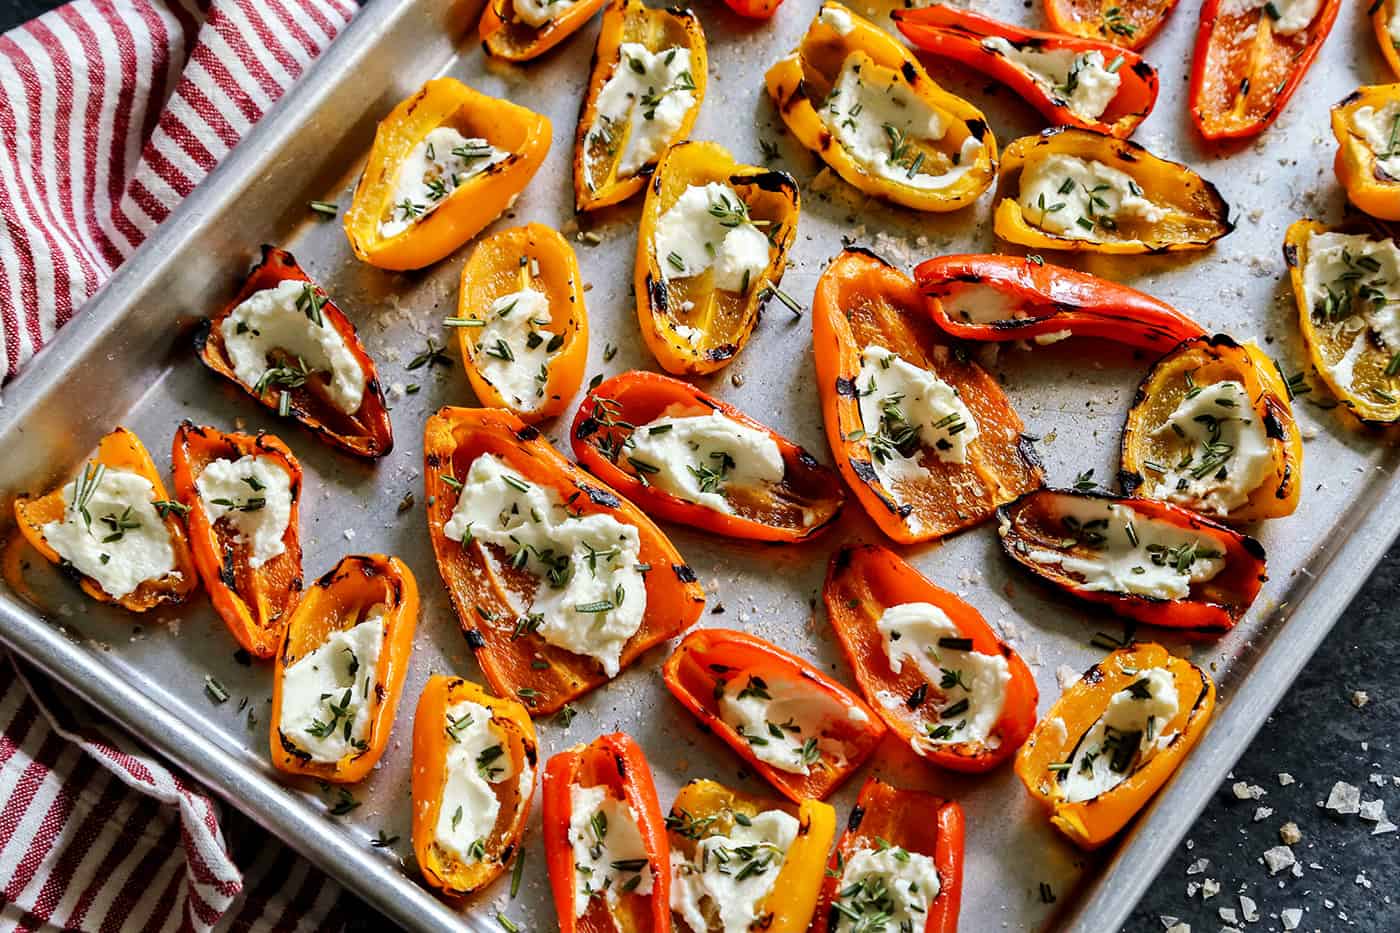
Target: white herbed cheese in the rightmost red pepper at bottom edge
[(892, 883)]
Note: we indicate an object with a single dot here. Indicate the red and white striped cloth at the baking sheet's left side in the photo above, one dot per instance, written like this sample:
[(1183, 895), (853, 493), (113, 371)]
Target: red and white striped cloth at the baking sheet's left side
[(111, 111)]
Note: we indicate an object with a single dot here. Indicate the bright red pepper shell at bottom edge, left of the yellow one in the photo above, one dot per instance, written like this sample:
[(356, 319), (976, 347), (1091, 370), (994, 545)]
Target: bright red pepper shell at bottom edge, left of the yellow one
[(617, 764)]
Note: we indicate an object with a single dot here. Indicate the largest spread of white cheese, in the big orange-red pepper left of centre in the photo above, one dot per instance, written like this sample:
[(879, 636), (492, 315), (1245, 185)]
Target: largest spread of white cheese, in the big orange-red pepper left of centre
[(591, 596)]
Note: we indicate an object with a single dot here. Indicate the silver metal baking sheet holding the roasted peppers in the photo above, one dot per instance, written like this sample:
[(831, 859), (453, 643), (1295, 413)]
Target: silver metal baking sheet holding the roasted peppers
[(128, 362)]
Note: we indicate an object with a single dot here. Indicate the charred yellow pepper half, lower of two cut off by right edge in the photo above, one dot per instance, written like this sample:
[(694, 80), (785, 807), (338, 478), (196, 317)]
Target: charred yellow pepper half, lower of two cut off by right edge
[(1360, 371)]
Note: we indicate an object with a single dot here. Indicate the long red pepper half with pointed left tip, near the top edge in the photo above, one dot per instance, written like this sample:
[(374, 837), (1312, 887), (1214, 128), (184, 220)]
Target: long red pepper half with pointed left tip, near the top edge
[(960, 36)]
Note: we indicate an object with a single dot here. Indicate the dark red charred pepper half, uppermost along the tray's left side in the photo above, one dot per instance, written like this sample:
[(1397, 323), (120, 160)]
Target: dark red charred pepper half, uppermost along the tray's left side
[(286, 387)]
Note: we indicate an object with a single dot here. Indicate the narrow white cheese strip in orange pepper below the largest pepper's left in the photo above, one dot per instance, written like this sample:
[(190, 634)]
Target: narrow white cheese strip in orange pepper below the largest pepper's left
[(477, 759)]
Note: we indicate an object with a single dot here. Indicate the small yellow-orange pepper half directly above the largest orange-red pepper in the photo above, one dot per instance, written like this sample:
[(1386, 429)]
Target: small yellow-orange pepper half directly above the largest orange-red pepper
[(516, 263)]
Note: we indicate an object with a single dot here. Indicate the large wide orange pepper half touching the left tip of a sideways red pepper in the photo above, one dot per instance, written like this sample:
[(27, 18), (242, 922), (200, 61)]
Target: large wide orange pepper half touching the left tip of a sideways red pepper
[(862, 303)]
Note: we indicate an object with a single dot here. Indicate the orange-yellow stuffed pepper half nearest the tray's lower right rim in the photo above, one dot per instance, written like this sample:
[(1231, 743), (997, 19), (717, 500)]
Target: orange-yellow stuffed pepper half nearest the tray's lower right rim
[(1114, 739)]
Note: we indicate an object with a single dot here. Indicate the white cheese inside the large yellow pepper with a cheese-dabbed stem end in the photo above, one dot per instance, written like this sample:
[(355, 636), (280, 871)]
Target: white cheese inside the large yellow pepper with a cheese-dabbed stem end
[(883, 127)]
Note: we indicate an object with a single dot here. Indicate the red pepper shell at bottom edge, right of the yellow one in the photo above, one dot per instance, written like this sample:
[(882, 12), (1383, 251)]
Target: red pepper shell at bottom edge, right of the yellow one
[(913, 820)]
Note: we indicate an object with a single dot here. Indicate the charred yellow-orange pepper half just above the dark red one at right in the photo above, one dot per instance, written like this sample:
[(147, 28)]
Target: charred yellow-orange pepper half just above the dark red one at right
[(1151, 455)]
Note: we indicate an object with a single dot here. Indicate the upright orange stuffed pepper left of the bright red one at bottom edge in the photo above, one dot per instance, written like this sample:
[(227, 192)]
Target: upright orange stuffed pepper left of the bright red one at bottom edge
[(475, 757)]
